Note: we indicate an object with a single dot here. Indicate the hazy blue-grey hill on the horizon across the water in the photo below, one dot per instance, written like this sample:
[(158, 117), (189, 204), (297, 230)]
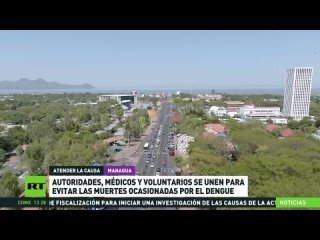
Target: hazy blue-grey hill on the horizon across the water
[(25, 83)]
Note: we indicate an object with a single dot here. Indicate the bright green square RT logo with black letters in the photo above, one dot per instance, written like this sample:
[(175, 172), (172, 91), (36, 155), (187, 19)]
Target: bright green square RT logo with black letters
[(35, 186)]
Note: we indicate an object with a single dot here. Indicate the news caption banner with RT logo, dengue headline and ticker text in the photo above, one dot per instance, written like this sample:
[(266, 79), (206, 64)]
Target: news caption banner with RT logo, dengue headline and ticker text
[(103, 187)]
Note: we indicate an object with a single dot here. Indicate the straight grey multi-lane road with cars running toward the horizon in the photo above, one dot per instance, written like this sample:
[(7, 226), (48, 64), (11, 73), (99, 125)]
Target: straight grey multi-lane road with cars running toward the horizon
[(159, 158)]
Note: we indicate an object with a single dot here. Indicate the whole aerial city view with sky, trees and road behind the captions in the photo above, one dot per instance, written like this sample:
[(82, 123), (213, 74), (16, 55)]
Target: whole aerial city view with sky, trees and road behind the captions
[(168, 123)]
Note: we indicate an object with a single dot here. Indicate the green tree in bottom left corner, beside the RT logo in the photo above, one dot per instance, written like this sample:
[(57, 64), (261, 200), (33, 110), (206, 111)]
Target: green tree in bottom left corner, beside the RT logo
[(9, 185)]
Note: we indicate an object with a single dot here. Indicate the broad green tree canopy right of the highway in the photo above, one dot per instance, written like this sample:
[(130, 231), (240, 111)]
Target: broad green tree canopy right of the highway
[(275, 166)]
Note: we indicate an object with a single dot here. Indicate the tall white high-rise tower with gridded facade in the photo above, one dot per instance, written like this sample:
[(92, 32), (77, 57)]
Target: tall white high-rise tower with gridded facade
[(297, 92)]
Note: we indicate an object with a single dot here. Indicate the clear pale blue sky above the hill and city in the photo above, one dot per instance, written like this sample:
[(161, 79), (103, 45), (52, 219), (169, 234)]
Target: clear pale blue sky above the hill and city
[(173, 59)]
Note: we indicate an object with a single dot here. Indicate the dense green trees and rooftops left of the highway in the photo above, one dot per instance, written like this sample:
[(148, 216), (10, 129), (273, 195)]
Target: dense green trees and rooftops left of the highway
[(57, 131)]
